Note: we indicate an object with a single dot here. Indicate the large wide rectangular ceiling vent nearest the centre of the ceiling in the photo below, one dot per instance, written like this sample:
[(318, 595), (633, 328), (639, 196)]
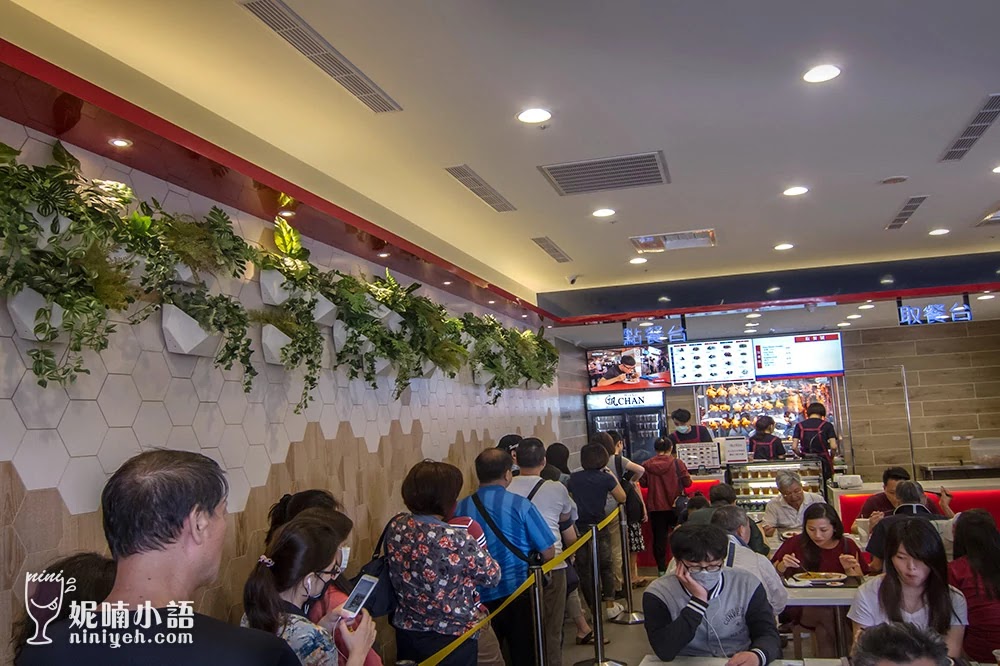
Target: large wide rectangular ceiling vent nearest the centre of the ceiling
[(609, 173)]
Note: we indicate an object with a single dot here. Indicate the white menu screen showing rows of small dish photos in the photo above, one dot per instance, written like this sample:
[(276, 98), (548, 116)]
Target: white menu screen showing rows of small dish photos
[(711, 362)]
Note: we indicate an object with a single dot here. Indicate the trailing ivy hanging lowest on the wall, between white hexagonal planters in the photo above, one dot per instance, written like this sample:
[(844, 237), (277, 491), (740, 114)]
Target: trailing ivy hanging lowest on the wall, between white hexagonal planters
[(294, 318)]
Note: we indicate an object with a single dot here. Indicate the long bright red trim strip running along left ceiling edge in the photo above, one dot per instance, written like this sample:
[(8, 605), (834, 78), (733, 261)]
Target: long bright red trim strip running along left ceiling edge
[(53, 75)]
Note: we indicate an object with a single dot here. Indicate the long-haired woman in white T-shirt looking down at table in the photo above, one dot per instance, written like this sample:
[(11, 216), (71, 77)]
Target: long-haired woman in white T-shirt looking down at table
[(914, 587)]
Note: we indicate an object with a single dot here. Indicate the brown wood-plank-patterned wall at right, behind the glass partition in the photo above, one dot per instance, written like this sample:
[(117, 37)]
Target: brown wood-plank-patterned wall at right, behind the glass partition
[(953, 376)]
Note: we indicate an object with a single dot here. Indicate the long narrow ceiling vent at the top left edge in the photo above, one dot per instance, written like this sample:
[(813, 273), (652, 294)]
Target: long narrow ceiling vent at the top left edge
[(280, 18)]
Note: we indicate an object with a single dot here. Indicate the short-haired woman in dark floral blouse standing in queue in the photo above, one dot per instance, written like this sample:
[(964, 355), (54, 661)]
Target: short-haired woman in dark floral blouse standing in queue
[(435, 568)]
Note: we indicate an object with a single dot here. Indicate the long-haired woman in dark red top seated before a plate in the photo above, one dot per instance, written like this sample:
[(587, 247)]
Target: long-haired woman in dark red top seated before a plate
[(820, 547)]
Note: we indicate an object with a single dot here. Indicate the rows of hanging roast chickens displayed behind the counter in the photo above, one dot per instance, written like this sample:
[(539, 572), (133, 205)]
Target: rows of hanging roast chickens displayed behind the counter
[(730, 409)]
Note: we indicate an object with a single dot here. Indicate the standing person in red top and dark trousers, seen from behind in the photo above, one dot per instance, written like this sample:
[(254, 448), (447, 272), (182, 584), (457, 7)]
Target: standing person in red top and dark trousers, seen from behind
[(666, 478)]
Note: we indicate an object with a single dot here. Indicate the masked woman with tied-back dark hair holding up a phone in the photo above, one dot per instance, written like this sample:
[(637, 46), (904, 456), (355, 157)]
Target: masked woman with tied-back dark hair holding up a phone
[(302, 559)]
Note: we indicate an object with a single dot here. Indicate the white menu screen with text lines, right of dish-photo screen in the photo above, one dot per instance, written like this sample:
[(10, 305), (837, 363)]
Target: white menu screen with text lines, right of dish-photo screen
[(814, 355)]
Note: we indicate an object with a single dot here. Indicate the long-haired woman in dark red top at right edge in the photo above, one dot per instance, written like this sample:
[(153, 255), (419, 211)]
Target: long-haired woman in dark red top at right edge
[(976, 573)]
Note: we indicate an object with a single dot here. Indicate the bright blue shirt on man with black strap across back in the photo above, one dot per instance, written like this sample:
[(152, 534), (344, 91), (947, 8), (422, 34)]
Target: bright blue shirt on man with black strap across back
[(523, 526)]
